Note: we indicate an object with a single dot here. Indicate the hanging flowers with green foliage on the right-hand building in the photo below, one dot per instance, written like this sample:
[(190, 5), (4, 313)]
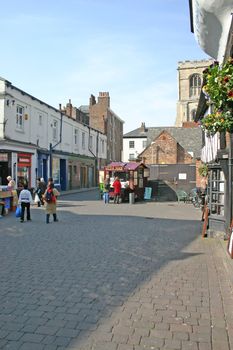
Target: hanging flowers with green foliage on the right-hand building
[(219, 89)]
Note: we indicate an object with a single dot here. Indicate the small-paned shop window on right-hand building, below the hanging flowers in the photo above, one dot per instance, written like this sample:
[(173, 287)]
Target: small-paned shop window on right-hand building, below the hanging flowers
[(216, 192)]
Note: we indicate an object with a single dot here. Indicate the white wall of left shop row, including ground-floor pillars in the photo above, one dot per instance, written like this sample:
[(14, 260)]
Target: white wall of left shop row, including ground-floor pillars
[(37, 130)]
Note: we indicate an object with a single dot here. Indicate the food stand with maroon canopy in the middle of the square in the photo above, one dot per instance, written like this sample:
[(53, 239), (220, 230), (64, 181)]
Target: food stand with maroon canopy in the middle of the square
[(133, 177)]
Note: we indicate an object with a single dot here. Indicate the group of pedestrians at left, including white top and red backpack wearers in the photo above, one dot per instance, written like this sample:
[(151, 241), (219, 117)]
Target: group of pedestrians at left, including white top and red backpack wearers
[(44, 195)]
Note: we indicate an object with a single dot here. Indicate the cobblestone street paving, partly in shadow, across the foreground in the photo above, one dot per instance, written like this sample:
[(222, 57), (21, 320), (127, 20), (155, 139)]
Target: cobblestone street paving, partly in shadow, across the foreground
[(114, 277)]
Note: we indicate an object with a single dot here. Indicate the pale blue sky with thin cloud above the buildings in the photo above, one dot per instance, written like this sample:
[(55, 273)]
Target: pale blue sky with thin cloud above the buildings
[(58, 50)]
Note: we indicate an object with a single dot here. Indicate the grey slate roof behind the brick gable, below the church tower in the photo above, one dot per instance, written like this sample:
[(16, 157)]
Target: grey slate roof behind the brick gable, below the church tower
[(189, 138)]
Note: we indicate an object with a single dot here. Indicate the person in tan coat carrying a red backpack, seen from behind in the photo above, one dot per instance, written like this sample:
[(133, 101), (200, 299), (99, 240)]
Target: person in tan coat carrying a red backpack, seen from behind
[(50, 198)]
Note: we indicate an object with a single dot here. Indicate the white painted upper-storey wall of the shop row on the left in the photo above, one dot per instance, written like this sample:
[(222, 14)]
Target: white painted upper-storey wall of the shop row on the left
[(38, 125)]
